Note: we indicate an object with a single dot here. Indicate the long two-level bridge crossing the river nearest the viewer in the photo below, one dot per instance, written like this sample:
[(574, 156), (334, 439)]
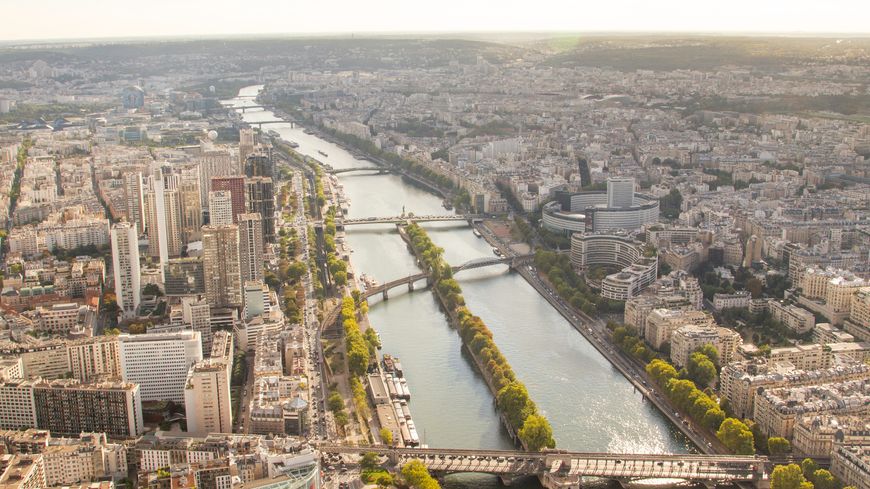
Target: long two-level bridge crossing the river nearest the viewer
[(564, 470)]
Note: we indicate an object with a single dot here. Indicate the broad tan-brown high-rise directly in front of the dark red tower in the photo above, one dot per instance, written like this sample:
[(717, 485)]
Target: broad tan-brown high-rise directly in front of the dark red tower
[(220, 251)]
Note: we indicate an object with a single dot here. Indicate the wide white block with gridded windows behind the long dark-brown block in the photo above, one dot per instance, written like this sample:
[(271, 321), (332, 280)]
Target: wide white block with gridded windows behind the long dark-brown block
[(159, 362)]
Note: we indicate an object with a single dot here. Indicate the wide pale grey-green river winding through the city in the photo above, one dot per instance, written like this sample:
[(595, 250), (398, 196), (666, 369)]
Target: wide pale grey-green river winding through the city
[(590, 405)]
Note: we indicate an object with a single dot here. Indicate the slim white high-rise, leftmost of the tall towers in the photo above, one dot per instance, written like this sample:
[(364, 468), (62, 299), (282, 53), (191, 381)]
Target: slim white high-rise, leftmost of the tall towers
[(125, 265)]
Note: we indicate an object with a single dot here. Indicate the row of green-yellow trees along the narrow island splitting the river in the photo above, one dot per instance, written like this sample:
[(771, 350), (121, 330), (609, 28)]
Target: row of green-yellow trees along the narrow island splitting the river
[(512, 397)]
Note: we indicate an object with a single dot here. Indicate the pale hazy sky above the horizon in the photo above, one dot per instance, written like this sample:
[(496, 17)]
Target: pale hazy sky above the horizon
[(52, 19)]
